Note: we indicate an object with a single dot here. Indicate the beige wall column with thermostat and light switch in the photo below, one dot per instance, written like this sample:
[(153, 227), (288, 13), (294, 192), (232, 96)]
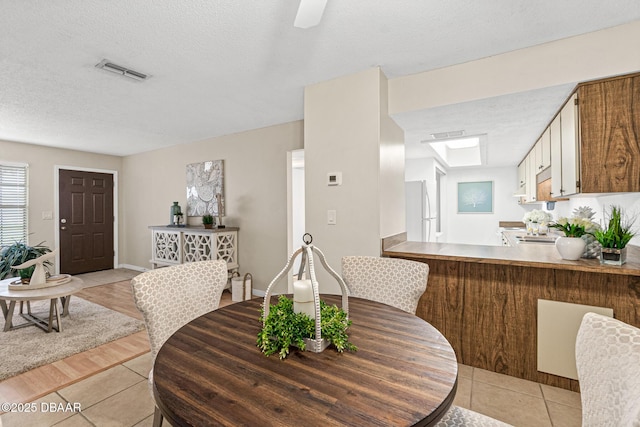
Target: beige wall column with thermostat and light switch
[(346, 130)]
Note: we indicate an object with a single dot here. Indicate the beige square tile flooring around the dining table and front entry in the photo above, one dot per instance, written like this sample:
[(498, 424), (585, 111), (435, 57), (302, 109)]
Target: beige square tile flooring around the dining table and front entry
[(120, 397)]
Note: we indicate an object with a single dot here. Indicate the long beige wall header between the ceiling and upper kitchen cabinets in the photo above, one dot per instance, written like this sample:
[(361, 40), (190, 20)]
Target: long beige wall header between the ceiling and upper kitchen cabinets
[(586, 57)]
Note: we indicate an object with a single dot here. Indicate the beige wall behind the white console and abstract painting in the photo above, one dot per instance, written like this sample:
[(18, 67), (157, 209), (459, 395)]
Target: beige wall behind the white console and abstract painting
[(255, 177)]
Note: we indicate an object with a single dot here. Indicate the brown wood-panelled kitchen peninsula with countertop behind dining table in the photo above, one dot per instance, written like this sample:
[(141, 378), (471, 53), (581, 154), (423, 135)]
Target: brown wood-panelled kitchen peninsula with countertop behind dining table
[(484, 299)]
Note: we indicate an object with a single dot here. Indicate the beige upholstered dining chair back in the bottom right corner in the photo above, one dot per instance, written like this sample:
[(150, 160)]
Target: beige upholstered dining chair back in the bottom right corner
[(608, 362)]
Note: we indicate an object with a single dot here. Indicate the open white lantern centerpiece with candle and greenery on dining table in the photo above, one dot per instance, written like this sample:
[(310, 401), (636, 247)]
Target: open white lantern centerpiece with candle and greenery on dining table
[(305, 322)]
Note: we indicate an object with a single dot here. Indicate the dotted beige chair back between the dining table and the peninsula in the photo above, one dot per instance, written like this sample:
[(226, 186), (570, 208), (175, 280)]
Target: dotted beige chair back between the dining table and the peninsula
[(396, 282)]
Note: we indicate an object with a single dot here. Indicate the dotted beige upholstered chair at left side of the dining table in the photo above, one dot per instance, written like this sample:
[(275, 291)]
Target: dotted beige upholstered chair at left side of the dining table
[(171, 297)]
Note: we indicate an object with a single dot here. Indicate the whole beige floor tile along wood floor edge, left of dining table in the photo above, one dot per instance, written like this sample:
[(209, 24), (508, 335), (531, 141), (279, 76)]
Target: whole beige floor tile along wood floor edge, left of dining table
[(100, 386)]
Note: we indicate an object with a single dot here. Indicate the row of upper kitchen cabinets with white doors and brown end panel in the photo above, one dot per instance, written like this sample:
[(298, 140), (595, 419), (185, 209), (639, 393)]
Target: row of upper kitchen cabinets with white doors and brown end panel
[(593, 143)]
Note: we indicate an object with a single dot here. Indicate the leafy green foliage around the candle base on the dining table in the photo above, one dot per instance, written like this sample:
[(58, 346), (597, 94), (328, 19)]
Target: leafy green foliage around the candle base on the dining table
[(284, 328)]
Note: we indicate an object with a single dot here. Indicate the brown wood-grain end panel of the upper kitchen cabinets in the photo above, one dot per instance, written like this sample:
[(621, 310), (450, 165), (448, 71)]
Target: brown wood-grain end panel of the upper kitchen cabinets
[(610, 135)]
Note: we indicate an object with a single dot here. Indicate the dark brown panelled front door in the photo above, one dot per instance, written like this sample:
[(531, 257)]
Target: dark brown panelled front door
[(86, 221)]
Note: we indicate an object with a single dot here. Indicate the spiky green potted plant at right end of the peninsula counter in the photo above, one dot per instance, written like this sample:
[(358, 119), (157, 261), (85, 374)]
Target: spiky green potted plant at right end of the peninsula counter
[(615, 237)]
